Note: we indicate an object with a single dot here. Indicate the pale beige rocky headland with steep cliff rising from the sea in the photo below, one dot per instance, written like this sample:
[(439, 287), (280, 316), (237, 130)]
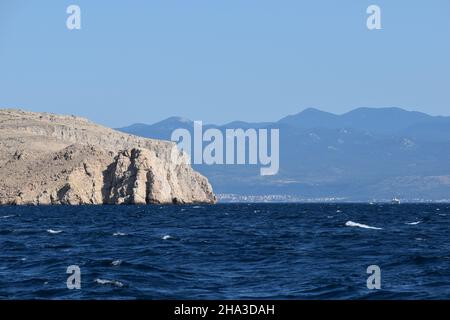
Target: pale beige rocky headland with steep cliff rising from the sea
[(52, 159)]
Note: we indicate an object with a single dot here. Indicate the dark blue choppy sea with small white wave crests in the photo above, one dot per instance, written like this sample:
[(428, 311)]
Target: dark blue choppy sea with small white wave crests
[(227, 251)]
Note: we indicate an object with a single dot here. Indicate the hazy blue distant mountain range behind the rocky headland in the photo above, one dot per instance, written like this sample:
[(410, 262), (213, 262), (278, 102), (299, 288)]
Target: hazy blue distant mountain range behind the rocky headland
[(365, 154)]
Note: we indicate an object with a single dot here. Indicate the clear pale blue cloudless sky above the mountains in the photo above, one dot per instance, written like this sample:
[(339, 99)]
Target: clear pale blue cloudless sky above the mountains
[(222, 60)]
